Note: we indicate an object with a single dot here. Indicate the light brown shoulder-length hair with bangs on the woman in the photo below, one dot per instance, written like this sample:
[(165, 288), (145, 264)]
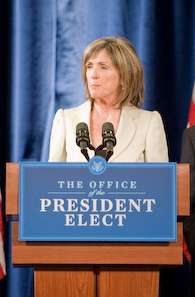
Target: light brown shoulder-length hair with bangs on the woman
[(125, 59)]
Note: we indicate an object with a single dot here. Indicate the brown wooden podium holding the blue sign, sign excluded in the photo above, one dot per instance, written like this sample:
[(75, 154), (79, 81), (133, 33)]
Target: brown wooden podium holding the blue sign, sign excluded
[(96, 269)]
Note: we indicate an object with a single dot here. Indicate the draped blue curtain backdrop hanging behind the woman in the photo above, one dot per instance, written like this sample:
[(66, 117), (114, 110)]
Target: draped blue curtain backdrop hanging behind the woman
[(43, 54)]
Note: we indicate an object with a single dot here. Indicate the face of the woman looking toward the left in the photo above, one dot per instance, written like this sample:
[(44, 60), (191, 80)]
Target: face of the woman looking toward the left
[(103, 78)]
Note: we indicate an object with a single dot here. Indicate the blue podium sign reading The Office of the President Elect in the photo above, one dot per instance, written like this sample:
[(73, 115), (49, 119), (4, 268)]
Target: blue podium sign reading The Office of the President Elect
[(98, 201)]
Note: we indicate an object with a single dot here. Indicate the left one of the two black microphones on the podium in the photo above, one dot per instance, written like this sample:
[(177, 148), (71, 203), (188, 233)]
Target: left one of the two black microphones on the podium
[(82, 138)]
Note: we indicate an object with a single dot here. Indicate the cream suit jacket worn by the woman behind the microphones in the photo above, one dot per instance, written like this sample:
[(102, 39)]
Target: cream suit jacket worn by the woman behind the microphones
[(140, 136)]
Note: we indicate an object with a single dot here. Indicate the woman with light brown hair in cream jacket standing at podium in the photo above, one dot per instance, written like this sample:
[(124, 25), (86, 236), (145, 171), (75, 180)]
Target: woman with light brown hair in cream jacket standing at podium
[(113, 79)]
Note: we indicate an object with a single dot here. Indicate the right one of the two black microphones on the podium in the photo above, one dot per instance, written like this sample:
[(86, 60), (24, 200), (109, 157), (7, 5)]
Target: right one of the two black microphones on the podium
[(108, 138)]
